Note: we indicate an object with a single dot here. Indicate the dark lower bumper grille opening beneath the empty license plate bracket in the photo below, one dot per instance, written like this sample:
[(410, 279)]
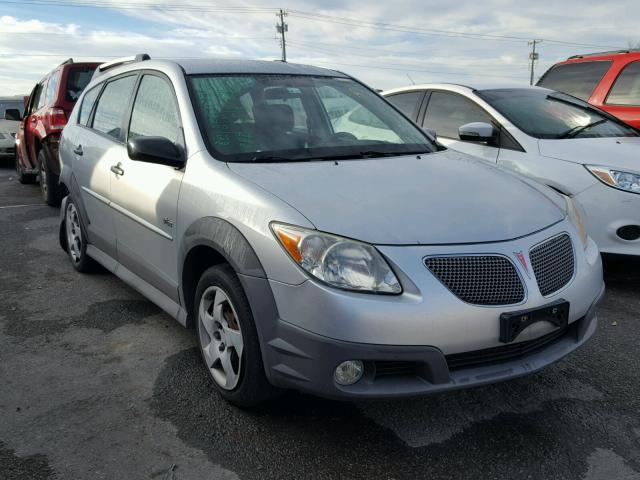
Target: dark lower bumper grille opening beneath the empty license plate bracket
[(504, 353)]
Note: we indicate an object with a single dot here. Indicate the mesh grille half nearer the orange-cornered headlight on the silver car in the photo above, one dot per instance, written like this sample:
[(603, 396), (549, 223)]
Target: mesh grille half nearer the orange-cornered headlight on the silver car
[(477, 279)]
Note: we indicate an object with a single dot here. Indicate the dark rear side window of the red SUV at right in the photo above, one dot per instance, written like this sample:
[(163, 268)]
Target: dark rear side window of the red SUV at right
[(577, 79)]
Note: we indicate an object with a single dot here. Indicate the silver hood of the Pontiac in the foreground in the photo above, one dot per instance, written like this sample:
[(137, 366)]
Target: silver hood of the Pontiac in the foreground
[(441, 198)]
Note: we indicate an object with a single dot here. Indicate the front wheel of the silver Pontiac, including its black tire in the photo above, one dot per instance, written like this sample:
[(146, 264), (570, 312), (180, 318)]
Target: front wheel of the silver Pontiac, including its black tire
[(225, 324)]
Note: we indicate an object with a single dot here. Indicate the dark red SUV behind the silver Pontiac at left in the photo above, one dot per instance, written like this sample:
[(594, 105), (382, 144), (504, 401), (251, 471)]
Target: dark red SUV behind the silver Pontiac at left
[(46, 113)]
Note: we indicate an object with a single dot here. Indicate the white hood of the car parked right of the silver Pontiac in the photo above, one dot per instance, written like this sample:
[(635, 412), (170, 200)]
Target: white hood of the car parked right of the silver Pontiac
[(623, 152)]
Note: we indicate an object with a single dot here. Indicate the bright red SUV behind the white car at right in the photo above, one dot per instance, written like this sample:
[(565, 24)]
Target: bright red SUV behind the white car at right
[(609, 80)]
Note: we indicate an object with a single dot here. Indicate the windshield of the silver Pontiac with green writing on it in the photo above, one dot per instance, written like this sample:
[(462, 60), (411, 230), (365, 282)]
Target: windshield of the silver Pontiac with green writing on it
[(295, 118)]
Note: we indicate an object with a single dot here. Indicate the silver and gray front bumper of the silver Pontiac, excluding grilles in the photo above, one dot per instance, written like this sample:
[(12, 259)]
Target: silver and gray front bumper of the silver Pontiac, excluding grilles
[(418, 337)]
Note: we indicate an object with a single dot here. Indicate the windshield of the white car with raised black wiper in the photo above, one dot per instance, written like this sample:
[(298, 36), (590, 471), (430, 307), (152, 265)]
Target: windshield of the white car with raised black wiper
[(547, 114)]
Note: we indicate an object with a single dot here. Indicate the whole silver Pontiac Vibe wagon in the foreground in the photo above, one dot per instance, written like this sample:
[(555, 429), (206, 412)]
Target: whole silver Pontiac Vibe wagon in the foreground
[(315, 237)]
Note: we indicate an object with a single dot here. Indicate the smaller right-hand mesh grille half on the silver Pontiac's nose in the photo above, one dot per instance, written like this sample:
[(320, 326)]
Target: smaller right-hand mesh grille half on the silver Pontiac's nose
[(553, 263)]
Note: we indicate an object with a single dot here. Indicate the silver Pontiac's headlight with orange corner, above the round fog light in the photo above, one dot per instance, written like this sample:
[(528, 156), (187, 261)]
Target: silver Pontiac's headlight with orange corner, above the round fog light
[(337, 261)]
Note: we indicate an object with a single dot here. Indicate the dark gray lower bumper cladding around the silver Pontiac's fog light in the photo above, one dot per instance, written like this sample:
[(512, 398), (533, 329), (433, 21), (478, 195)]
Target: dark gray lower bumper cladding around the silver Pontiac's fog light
[(298, 359)]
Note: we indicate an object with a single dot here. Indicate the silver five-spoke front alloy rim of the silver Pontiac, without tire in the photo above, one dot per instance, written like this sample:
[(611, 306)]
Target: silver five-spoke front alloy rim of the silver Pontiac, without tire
[(220, 337)]
